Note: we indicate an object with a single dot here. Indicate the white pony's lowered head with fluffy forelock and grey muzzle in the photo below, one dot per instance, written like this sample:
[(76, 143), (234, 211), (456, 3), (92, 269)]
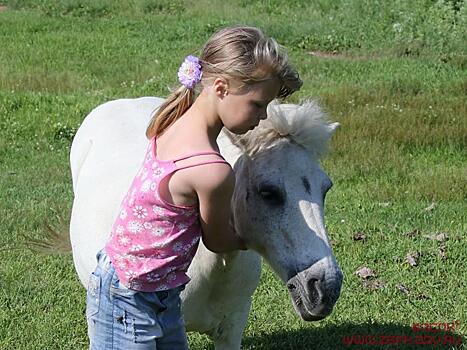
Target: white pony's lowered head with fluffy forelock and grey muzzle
[(279, 202)]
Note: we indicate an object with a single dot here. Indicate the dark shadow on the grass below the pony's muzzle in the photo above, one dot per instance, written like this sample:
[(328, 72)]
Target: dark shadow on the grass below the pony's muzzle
[(351, 336)]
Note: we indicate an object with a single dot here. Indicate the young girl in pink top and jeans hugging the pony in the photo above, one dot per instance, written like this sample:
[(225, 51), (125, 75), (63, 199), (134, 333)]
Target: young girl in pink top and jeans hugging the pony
[(182, 191)]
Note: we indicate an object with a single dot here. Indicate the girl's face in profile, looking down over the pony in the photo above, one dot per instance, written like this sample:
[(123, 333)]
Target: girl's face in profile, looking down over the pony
[(241, 109)]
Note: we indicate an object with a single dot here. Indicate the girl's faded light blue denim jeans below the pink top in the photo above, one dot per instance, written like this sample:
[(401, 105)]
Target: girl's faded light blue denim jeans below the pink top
[(124, 319)]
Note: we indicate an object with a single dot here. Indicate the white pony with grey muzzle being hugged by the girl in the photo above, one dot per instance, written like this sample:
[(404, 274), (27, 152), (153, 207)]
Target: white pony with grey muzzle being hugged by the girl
[(278, 207)]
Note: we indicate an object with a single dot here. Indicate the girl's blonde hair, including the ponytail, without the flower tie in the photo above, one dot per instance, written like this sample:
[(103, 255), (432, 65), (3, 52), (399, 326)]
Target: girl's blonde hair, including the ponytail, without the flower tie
[(242, 54)]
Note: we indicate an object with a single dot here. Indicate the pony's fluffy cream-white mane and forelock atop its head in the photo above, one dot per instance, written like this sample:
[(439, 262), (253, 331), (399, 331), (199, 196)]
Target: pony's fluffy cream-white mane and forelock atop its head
[(305, 124)]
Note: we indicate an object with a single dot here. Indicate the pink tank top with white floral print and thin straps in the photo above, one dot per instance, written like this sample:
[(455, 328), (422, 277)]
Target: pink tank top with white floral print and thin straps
[(152, 241)]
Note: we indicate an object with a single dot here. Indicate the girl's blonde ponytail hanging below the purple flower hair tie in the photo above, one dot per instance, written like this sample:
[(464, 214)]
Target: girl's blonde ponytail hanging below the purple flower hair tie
[(172, 109)]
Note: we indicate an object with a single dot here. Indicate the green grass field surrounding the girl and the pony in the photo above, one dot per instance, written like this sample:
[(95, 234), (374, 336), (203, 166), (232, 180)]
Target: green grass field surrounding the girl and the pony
[(393, 73)]
